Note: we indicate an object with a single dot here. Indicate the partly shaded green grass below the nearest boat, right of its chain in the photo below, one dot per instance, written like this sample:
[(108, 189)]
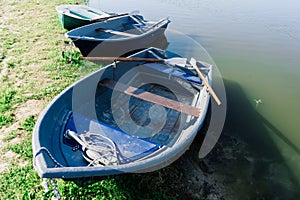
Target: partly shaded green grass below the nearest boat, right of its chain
[(157, 185)]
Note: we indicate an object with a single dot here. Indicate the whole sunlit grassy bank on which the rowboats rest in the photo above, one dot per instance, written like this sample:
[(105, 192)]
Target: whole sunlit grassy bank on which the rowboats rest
[(32, 73)]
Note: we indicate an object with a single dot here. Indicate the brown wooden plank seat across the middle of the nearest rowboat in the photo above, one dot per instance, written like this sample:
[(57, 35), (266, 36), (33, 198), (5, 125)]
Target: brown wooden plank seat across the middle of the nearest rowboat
[(153, 98)]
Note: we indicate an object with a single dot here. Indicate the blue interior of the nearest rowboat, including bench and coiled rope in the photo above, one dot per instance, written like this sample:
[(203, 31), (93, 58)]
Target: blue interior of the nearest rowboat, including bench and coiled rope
[(132, 109)]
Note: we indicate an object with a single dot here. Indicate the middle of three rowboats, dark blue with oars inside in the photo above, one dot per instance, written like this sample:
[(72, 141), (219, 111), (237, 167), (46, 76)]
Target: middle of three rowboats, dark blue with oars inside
[(118, 36)]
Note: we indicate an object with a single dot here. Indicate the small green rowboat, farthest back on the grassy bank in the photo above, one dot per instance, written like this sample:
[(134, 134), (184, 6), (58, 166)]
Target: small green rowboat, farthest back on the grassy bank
[(73, 16)]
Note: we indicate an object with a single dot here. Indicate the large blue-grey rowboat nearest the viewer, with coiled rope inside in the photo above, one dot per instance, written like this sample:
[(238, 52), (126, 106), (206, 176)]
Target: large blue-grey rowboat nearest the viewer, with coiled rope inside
[(133, 116)]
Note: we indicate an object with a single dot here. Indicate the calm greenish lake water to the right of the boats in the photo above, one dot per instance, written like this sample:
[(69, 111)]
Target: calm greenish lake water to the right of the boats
[(256, 48)]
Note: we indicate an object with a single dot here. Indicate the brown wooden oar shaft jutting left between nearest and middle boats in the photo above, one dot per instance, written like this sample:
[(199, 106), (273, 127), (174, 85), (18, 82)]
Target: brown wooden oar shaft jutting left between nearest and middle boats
[(121, 59)]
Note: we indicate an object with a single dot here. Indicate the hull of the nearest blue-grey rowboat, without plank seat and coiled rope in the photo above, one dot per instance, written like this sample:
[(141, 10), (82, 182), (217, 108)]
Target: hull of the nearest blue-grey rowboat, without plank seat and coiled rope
[(55, 156)]
